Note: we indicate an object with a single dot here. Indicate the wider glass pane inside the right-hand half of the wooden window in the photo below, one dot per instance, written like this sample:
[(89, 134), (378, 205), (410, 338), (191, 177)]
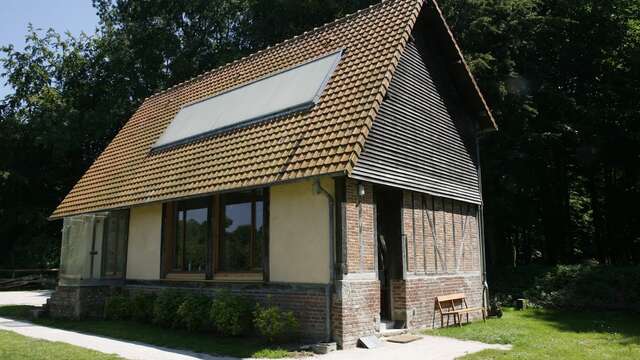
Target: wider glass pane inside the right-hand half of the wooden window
[(236, 240)]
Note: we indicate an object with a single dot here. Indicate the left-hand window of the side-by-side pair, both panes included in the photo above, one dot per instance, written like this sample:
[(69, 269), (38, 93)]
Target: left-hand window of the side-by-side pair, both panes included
[(191, 235)]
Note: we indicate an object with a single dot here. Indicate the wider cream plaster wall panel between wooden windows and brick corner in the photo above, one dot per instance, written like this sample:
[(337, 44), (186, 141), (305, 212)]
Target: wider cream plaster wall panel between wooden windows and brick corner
[(299, 233)]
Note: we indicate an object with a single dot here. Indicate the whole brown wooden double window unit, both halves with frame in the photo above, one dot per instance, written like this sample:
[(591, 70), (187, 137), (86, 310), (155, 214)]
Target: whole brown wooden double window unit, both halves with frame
[(220, 234)]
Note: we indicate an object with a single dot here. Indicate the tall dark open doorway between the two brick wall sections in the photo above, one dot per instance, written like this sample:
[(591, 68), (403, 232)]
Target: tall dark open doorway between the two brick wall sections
[(388, 208)]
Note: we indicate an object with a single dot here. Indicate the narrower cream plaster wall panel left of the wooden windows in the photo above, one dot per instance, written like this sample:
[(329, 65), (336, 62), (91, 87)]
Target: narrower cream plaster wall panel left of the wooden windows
[(143, 254)]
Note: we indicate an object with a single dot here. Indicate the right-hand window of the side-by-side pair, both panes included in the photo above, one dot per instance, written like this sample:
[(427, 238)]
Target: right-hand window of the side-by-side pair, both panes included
[(243, 231)]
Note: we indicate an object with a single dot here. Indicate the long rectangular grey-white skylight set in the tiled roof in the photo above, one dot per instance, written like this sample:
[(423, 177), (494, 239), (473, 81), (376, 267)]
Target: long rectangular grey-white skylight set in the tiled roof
[(294, 89)]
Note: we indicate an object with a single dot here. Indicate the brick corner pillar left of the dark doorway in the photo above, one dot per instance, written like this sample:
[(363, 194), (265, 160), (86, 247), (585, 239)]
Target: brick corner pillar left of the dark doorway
[(356, 300)]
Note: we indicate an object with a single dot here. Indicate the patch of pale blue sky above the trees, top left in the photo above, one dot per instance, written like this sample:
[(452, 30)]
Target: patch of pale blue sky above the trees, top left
[(74, 16)]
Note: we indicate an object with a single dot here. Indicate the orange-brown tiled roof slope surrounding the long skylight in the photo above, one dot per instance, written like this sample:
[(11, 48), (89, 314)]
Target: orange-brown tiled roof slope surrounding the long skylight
[(324, 140)]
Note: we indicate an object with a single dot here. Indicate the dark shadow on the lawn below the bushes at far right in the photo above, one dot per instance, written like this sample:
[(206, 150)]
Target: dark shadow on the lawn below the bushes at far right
[(624, 324)]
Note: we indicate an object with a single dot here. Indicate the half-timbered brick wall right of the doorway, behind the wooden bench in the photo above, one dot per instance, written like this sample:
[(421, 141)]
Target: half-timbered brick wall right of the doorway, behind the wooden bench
[(442, 256)]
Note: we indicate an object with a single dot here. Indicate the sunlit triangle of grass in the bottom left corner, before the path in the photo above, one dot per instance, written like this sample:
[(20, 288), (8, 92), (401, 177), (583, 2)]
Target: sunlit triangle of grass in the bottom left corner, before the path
[(18, 347)]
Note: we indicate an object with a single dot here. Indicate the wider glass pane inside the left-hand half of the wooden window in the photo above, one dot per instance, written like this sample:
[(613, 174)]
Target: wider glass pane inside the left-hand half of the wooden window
[(195, 244)]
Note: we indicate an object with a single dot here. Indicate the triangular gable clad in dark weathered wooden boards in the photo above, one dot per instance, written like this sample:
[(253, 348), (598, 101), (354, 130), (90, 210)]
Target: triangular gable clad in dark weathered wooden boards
[(422, 139)]
